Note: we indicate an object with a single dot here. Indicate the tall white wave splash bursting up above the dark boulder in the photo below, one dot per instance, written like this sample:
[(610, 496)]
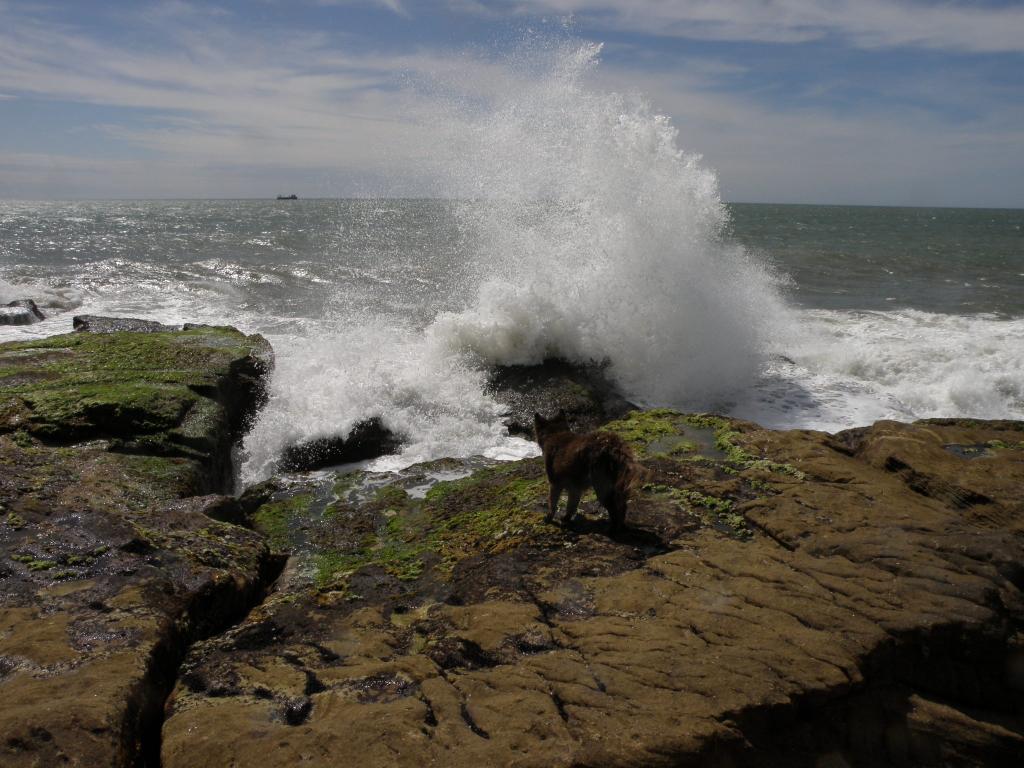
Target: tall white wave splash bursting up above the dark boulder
[(598, 238)]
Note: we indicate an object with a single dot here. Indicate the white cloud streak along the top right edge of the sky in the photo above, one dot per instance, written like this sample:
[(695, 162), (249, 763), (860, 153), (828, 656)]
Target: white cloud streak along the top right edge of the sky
[(869, 24)]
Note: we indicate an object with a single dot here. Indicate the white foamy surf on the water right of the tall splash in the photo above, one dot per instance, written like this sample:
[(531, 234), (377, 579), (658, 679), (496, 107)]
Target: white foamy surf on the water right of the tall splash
[(848, 369)]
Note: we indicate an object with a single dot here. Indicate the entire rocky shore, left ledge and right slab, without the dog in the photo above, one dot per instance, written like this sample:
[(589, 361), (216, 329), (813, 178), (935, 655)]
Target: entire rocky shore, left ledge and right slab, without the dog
[(781, 599)]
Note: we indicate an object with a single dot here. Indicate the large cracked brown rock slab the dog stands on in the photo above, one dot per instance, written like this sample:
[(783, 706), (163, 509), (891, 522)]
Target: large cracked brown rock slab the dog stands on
[(781, 599)]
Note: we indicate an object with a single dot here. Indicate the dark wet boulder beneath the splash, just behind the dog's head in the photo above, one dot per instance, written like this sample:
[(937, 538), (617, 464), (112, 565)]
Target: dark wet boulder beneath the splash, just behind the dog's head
[(584, 392)]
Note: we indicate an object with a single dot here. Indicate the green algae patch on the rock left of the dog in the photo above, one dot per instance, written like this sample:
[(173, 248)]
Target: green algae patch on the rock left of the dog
[(361, 524)]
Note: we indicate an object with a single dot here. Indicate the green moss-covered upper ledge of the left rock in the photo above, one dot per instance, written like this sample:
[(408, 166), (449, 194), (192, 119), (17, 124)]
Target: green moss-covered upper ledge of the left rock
[(80, 387)]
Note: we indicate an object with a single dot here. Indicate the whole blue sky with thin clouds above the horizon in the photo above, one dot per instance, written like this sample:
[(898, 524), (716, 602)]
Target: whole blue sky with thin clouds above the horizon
[(832, 102)]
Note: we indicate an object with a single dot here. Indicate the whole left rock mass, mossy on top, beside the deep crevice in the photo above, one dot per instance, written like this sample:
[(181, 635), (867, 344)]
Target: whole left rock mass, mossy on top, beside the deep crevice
[(114, 450)]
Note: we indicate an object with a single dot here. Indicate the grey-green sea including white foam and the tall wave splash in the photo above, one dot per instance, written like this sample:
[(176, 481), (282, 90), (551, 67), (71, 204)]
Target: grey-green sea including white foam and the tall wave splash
[(575, 225)]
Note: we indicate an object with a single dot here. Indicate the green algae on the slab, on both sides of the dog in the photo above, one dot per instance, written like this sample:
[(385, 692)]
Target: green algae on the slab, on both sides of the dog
[(363, 522)]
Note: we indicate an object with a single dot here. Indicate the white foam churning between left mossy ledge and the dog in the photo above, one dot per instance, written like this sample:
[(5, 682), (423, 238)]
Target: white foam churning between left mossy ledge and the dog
[(325, 386)]
